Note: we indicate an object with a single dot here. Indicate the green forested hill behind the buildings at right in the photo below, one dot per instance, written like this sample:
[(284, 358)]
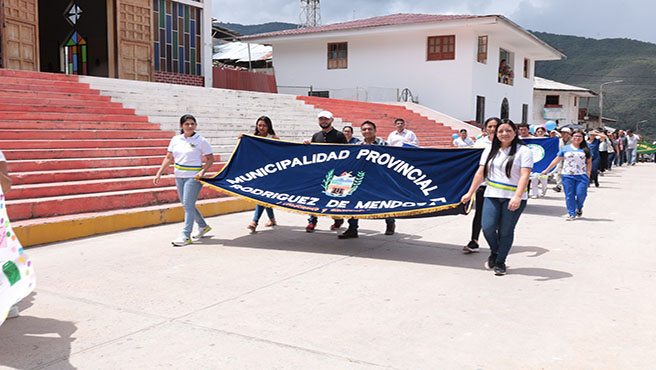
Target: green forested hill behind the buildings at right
[(591, 62)]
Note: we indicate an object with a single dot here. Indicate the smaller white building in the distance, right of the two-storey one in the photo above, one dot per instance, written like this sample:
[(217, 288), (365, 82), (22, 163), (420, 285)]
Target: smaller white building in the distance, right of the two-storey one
[(559, 102)]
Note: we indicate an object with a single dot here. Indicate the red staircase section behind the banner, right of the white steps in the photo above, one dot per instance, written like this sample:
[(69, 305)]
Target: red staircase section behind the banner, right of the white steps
[(430, 133)]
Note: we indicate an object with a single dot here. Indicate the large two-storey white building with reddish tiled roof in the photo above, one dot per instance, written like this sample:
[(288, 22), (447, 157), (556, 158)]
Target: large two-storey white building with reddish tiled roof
[(450, 62)]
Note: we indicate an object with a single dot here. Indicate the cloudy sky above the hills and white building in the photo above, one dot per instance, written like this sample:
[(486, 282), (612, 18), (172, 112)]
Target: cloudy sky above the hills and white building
[(590, 18)]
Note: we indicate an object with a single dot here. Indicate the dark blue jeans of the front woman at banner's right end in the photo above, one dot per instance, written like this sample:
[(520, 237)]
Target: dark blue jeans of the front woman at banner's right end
[(499, 225)]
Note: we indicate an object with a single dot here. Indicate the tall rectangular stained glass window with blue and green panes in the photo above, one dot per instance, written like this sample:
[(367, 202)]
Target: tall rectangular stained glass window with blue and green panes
[(177, 37)]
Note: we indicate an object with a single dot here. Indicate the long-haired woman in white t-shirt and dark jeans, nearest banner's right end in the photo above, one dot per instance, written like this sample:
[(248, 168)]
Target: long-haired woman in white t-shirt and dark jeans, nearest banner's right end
[(506, 166)]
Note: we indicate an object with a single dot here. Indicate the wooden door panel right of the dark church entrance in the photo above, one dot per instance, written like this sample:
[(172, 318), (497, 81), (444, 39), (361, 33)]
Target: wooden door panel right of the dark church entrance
[(134, 28)]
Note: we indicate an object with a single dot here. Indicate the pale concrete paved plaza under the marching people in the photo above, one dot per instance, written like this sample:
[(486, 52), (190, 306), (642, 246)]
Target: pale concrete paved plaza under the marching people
[(578, 295)]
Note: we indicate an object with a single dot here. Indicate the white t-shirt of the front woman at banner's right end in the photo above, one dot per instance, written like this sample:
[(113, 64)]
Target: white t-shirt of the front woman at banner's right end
[(498, 184)]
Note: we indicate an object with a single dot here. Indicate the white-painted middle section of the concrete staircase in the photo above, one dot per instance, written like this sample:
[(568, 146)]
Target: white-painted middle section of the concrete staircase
[(222, 114)]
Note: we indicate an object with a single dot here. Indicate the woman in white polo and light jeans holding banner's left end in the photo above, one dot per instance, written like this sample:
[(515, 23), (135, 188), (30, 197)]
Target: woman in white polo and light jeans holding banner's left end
[(186, 151)]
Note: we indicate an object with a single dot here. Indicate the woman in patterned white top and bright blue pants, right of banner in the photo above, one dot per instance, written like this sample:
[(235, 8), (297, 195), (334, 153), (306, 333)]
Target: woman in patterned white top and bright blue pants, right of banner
[(577, 165)]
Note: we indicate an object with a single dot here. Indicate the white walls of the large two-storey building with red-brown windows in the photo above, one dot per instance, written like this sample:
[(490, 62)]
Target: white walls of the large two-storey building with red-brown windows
[(398, 60)]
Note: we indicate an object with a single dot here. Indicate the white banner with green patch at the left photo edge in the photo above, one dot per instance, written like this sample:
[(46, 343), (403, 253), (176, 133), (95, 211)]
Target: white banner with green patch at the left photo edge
[(17, 277)]
